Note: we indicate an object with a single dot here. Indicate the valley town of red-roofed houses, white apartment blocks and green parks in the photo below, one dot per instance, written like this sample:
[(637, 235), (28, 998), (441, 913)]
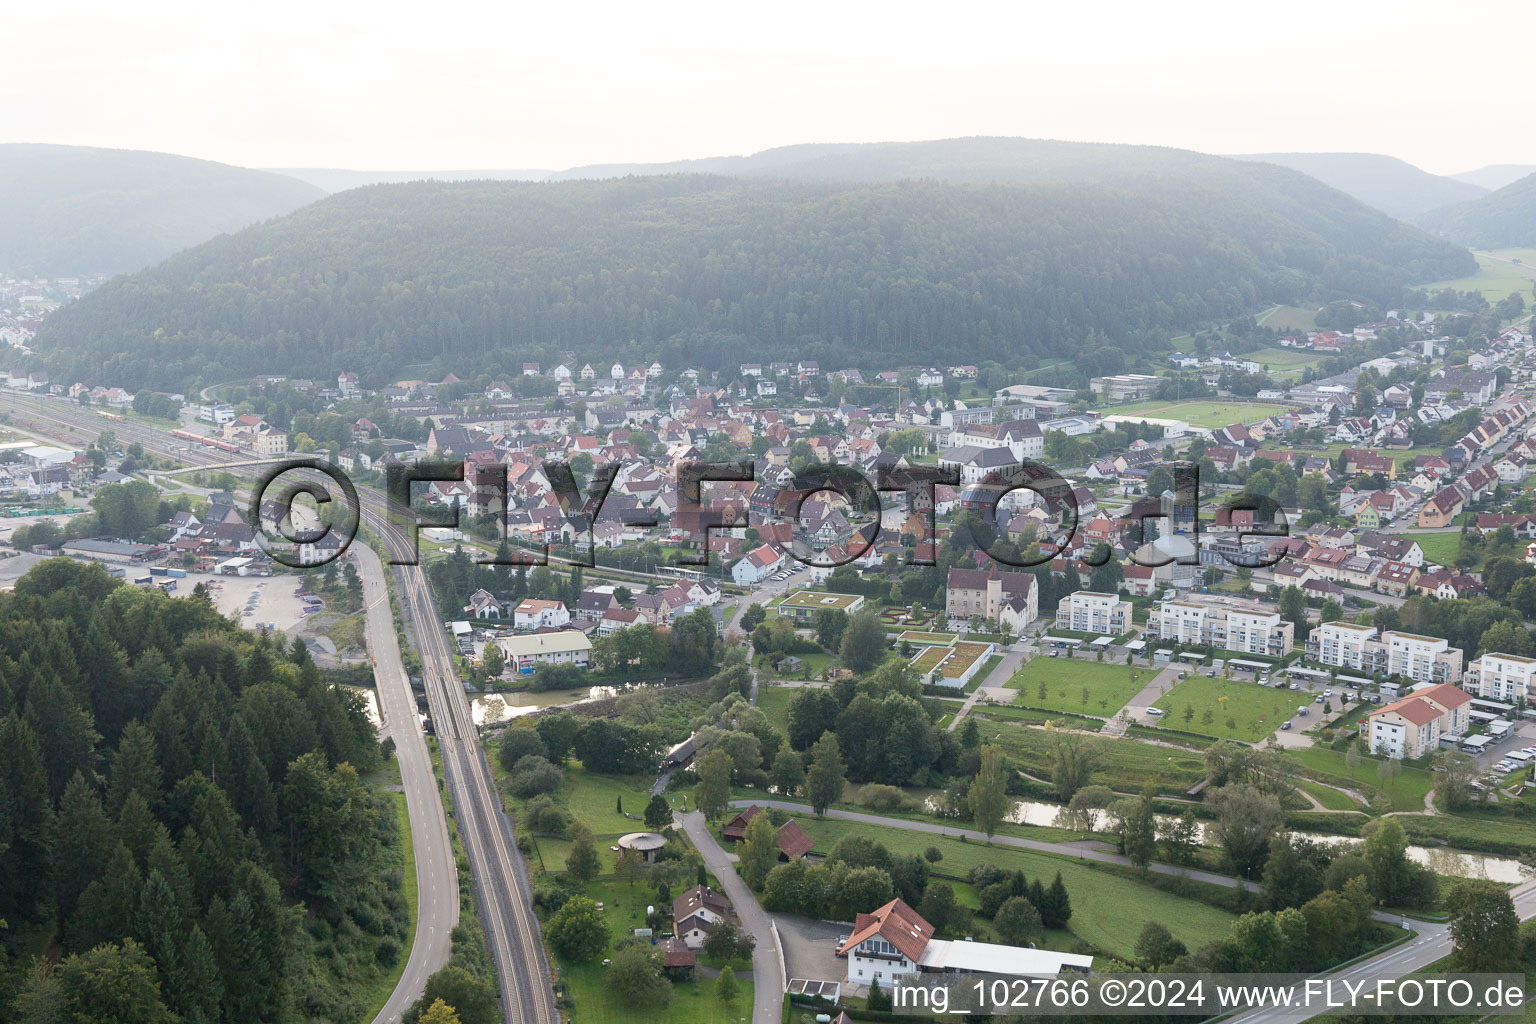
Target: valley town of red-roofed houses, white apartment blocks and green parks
[(955, 733)]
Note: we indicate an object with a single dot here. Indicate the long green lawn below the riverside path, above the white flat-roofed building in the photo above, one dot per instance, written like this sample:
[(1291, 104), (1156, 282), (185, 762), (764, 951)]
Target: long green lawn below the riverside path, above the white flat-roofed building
[(1108, 911)]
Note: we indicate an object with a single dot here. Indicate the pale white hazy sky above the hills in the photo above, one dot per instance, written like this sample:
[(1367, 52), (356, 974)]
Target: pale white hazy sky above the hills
[(386, 85)]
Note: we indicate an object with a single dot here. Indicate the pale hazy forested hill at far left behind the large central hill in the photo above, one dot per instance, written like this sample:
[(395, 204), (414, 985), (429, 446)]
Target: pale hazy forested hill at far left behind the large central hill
[(79, 211)]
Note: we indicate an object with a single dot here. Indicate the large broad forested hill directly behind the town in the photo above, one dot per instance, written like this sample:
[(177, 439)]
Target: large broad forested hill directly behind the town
[(700, 271)]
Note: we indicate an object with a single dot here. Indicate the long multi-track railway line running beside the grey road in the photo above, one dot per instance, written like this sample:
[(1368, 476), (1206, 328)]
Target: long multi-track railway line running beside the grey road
[(503, 890)]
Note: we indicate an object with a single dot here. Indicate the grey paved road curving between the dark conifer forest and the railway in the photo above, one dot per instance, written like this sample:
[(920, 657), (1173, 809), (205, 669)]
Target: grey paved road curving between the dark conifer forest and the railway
[(437, 874)]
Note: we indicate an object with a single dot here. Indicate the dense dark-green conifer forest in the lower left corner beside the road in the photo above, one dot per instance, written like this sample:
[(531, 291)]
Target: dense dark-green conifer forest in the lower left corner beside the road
[(184, 827)]
